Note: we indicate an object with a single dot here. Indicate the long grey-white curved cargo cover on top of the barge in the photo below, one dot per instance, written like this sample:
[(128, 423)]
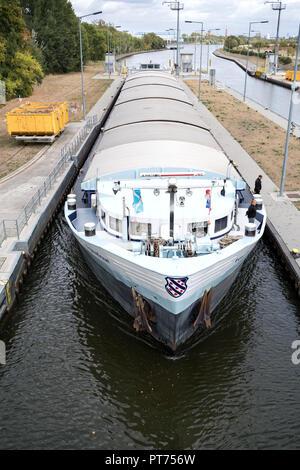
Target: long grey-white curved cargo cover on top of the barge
[(144, 131)]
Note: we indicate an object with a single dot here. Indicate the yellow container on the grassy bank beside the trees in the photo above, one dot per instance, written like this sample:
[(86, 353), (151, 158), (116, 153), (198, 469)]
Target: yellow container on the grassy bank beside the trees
[(37, 121)]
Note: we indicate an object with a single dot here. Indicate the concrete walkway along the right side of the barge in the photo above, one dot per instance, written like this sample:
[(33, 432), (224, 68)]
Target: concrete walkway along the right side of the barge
[(281, 212)]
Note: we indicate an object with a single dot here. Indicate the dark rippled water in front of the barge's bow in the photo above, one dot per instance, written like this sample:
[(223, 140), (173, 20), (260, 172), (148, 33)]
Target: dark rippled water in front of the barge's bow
[(78, 376)]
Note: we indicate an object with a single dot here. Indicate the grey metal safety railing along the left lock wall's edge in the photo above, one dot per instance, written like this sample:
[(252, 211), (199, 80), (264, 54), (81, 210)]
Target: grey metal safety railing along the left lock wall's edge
[(13, 227)]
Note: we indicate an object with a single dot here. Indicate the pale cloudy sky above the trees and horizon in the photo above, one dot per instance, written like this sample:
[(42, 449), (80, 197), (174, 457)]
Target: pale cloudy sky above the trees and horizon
[(138, 16)]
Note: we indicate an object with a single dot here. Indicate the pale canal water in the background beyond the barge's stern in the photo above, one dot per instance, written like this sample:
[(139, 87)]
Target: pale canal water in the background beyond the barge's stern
[(274, 97)]
